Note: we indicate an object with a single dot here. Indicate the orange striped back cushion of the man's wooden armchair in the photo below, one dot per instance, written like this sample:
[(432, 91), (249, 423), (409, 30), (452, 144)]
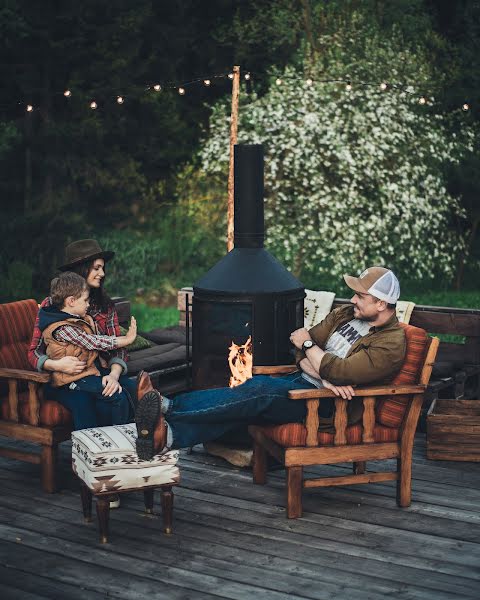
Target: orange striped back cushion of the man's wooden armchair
[(390, 411)]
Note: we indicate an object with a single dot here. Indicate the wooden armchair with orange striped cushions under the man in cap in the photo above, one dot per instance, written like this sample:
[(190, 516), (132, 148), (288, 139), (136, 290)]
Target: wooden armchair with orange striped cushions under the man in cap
[(390, 417)]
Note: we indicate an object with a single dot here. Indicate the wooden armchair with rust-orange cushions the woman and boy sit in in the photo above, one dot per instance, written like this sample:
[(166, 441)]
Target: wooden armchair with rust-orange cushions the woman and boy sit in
[(25, 414)]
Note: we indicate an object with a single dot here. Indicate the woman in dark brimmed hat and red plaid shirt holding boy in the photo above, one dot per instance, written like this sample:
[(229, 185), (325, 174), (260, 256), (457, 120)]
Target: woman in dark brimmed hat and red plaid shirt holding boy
[(86, 258)]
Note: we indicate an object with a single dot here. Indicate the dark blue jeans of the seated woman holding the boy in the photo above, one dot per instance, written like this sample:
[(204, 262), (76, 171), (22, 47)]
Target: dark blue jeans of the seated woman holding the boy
[(87, 405)]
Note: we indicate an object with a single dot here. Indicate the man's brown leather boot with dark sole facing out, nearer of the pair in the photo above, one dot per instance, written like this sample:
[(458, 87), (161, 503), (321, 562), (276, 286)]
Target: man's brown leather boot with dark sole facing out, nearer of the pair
[(151, 427)]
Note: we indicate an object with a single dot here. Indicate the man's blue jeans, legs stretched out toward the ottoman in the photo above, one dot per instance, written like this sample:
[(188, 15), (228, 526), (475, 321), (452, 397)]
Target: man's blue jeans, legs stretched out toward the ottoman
[(205, 415)]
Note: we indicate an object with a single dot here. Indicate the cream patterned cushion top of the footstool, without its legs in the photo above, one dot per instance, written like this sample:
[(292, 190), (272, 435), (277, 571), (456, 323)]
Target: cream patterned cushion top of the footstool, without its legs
[(106, 461)]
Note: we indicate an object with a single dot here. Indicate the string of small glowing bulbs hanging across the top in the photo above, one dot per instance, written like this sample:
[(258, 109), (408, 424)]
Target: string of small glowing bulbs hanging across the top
[(416, 91)]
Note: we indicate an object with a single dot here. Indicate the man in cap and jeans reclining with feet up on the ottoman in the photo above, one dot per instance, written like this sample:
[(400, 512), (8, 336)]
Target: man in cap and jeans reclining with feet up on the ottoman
[(360, 343)]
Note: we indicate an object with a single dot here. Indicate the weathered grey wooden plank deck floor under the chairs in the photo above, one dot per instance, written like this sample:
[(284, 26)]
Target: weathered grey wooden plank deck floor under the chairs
[(231, 538)]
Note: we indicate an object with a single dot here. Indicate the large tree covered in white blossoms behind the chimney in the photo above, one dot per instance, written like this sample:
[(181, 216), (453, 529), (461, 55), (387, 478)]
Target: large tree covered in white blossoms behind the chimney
[(355, 177)]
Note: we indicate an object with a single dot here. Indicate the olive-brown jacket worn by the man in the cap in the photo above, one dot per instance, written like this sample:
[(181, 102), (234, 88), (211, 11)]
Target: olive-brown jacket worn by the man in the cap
[(374, 358)]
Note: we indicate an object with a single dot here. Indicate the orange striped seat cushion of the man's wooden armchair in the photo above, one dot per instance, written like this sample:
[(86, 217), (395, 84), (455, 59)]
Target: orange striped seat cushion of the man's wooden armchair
[(295, 434)]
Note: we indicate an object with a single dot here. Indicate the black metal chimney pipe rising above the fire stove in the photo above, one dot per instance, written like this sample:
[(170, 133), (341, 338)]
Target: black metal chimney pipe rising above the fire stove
[(249, 223)]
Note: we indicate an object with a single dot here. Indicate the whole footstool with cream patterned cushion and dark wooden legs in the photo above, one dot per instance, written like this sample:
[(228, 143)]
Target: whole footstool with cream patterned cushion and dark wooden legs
[(105, 460)]
